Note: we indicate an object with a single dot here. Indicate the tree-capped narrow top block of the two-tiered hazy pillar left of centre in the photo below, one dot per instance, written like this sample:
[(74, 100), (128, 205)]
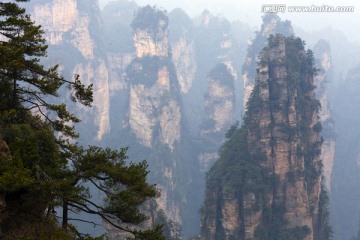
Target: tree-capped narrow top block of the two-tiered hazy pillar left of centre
[(151, 34)]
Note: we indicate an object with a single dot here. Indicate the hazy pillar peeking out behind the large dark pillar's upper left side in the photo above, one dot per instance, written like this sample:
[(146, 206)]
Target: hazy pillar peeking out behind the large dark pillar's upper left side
[(272, 24)]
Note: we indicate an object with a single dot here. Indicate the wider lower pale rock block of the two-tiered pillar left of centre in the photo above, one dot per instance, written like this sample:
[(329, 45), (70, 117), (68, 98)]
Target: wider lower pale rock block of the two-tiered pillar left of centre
[(153, 108)]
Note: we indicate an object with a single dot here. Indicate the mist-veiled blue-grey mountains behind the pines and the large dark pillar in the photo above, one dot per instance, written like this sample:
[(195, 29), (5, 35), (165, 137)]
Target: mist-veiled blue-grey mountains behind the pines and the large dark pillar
[(170, 87)]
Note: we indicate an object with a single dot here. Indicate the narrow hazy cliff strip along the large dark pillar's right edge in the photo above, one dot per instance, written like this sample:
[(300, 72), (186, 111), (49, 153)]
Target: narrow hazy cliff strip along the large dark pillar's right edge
[(323, 63)]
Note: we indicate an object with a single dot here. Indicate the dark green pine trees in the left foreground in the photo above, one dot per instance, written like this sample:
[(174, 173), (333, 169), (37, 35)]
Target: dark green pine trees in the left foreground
[(41, 167)]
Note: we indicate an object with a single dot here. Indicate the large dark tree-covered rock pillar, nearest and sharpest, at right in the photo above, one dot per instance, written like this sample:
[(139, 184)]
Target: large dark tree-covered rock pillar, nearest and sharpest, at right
[(267, 182)]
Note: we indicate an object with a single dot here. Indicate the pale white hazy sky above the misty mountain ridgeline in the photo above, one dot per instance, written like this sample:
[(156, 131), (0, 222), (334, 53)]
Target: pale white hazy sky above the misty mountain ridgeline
[(250, 12)]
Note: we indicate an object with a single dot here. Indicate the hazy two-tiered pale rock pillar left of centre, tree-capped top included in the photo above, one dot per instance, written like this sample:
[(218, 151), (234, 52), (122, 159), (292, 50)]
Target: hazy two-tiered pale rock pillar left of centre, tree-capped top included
[(154, 107)]
